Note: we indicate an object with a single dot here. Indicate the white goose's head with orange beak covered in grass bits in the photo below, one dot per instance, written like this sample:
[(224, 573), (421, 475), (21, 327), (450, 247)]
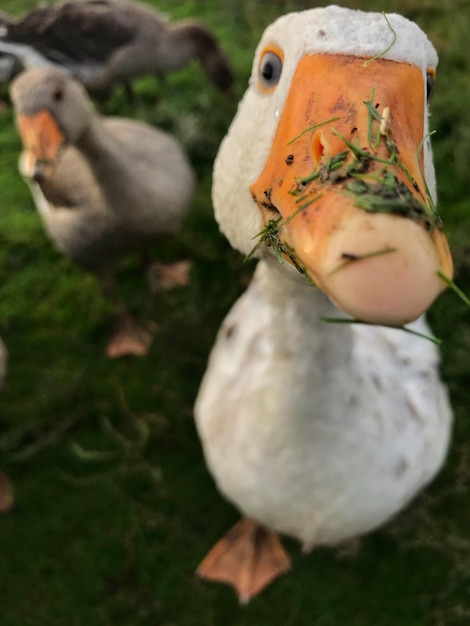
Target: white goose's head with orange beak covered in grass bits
[(328, 161)]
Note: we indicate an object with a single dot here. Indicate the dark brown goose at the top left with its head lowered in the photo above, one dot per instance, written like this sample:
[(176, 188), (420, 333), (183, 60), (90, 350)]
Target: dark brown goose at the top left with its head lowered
[(104, 43)]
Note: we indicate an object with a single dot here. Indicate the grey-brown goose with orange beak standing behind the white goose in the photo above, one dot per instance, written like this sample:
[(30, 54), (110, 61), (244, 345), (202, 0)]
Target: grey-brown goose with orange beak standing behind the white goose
[(104, 187)]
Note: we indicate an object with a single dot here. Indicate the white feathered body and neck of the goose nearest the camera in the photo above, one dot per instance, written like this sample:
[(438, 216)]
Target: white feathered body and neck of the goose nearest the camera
[(319, 431)]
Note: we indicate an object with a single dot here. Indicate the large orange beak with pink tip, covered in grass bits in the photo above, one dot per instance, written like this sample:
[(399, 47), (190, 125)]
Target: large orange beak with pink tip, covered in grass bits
[(343, 194)]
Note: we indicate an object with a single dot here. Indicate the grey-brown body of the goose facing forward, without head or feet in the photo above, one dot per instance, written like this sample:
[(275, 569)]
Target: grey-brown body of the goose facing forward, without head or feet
[(98, 207)]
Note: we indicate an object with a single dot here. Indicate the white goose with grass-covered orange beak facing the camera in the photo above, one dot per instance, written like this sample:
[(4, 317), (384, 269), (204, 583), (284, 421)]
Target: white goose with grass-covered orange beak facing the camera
[(324, 431)]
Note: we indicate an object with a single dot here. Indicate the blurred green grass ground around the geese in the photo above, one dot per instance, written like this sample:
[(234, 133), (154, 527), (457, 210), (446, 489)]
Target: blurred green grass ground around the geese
[(115, 540)]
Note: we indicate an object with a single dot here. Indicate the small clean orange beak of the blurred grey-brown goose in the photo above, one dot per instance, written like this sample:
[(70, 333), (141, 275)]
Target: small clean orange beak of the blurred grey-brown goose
[(40, 135)]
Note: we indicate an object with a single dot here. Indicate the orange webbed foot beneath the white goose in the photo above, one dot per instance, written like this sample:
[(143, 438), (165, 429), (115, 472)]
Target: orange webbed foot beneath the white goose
[(249, 557)]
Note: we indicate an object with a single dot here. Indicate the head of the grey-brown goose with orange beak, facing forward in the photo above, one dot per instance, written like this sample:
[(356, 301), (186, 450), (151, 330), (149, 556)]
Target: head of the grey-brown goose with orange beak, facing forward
[(51, 111)]
